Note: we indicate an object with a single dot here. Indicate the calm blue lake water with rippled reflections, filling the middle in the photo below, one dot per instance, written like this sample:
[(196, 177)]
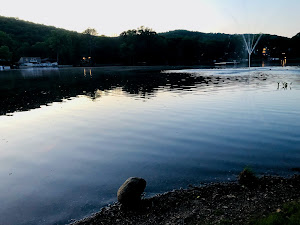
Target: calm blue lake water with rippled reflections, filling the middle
[(70, 137)]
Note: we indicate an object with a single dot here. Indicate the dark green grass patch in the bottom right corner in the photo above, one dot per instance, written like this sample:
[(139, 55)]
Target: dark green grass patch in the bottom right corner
[(289, 215)]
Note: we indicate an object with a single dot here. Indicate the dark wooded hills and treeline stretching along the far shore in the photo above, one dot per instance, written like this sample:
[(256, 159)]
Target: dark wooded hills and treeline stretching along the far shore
[(141, 46)]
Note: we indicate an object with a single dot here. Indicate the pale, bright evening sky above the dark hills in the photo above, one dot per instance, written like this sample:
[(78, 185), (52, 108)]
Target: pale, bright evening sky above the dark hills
[(111, 17)]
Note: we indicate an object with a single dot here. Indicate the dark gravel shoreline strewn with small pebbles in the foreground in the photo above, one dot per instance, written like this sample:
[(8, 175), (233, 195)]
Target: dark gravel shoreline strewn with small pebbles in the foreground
[(214, 203)]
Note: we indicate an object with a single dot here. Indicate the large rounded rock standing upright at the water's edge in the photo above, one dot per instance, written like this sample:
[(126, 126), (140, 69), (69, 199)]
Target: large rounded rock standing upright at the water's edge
[(130, 191)]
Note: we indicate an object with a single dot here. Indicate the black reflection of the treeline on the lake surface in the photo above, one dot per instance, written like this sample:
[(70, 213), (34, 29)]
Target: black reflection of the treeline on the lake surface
[(22, 90)]
